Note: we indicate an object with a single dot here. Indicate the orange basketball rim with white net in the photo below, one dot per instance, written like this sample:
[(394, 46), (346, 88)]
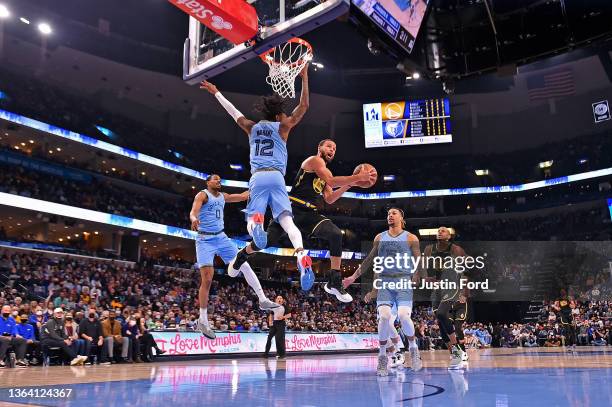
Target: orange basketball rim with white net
[(286, 61)]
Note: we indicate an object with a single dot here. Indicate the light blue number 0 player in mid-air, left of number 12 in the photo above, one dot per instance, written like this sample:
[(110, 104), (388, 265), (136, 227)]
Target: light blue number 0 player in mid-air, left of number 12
[(207, 219)]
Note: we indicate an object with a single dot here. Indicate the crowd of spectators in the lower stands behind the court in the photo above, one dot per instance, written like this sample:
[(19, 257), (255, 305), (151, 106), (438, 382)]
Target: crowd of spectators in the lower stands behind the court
[(106, 310)]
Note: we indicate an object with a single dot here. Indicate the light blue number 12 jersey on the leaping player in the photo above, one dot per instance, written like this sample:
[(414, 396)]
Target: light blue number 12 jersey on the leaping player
[(267, 148)]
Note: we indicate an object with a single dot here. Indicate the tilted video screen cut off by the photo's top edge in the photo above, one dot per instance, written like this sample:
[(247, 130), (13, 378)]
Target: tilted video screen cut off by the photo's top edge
[(399, 19)]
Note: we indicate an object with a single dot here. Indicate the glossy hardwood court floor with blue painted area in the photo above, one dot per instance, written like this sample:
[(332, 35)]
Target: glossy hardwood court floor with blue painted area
[(493, 377)]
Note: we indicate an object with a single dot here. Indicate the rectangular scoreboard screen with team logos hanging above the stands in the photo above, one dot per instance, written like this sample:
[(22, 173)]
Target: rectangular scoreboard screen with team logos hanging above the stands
[(407, 123)]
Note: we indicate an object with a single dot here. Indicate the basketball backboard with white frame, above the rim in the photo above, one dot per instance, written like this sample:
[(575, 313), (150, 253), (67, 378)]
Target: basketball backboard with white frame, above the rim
[(206, 53)]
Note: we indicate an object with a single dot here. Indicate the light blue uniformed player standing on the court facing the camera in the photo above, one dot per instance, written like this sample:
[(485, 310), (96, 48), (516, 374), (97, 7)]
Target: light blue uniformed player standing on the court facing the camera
[(392, 244)]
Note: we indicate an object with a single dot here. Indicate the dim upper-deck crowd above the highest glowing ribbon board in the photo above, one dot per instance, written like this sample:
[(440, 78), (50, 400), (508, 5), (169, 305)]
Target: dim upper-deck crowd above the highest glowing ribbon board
[(43, 101)]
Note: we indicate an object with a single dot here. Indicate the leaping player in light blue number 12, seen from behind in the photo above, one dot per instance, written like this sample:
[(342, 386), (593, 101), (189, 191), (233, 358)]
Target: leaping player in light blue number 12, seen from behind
[(268, 157)]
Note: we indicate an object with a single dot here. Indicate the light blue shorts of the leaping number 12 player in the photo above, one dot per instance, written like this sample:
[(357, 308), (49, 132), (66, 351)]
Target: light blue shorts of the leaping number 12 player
[(267, 188)]
